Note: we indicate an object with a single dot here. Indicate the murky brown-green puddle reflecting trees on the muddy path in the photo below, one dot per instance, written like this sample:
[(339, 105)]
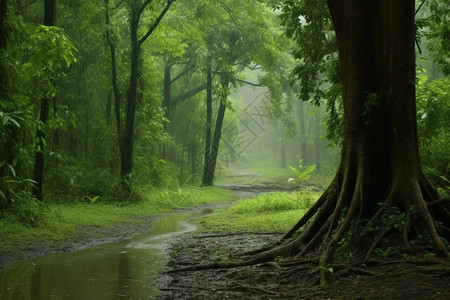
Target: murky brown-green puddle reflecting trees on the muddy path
[(119, 270)]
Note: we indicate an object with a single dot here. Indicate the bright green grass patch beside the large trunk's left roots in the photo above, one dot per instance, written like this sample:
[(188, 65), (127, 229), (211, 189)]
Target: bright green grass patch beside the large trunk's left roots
[(272, 212)]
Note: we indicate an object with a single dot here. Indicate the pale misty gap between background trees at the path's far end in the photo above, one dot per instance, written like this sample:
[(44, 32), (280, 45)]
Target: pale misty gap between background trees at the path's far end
[(256, 143)]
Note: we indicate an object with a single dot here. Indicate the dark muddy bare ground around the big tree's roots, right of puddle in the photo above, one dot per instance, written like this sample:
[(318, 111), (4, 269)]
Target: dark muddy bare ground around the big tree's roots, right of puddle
[(413, 279)]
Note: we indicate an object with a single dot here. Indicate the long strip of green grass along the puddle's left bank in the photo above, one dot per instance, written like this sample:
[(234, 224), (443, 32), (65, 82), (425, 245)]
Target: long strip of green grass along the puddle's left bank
[(61, 221)]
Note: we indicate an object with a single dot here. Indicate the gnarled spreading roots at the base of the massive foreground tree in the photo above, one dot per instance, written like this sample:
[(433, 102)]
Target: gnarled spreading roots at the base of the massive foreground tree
[(339, 214)]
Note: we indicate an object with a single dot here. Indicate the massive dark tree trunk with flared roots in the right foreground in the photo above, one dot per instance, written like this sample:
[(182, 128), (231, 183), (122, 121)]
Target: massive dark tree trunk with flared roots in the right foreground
[(379, 197)]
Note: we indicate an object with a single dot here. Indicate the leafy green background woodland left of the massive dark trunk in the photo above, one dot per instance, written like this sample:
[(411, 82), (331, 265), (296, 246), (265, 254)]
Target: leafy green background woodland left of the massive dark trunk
[(95, 95)]
